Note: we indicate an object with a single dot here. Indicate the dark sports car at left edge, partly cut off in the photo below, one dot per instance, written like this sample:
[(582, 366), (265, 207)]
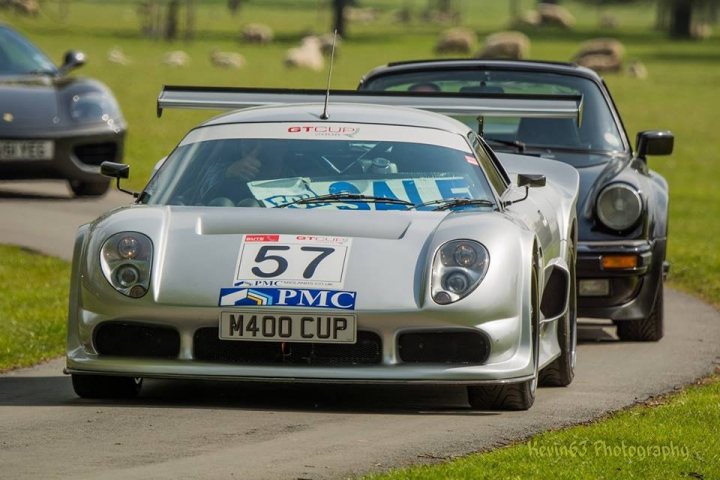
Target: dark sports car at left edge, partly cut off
[(53, 125)]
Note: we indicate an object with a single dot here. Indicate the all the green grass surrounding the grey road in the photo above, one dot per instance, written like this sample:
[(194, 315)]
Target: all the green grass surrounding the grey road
[(680, 94)]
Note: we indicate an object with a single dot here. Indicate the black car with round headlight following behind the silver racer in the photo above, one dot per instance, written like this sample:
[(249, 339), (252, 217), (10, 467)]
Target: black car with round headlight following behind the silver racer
[(623, 205)]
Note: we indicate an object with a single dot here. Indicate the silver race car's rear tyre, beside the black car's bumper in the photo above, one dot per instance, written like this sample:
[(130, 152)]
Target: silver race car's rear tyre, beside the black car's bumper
[(561, 372)]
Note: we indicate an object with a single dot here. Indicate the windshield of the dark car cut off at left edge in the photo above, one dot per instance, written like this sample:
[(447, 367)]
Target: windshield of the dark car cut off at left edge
[(20, 57)]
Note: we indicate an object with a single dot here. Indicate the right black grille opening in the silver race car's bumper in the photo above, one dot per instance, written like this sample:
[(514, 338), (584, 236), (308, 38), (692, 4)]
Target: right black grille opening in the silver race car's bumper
[(444, 347)]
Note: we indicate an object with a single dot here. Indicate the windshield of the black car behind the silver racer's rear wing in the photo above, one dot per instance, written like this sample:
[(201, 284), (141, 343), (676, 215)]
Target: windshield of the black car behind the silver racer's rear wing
[(598, 132)]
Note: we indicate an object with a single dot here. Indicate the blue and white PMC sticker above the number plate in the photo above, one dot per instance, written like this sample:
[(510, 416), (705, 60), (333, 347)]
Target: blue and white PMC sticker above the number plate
[(287, 297)]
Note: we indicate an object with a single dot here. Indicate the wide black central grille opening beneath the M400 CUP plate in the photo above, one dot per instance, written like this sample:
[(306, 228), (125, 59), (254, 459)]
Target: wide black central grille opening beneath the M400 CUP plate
[(208, 347)]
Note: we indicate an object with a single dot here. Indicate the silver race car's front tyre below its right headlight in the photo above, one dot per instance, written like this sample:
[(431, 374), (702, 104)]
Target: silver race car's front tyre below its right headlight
[(513, 396)]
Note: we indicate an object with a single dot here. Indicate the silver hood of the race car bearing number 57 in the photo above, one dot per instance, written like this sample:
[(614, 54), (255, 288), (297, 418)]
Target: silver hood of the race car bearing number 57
[(197, 250)]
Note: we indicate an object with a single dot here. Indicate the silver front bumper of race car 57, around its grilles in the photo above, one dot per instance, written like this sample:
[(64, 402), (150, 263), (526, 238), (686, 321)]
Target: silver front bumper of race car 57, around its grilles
[(509, 359)]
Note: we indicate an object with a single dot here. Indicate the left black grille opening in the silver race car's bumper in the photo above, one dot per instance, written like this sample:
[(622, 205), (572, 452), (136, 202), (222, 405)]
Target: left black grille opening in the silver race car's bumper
[(135, 340)]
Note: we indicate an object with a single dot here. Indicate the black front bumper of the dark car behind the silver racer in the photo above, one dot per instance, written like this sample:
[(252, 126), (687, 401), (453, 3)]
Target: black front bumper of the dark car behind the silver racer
[(632, 290)]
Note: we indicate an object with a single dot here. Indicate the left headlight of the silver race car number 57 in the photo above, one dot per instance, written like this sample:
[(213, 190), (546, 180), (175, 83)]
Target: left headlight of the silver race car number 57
[(126, 260)]
